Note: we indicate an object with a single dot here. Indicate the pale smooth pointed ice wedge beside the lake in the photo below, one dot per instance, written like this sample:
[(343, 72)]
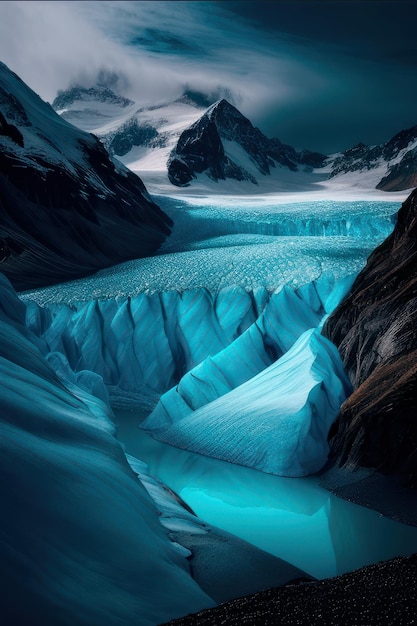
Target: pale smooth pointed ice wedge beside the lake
[(277, 421)]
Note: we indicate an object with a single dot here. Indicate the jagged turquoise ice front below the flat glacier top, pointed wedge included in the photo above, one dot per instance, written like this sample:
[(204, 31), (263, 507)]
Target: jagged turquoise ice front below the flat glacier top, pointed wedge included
[(204, 346)]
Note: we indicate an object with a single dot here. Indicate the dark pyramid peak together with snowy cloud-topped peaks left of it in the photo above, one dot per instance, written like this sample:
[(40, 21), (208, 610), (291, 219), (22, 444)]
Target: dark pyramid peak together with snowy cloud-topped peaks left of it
[(165, 140)]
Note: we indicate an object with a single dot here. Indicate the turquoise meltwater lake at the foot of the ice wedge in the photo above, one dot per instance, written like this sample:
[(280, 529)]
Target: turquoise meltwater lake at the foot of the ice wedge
[(292, 518)]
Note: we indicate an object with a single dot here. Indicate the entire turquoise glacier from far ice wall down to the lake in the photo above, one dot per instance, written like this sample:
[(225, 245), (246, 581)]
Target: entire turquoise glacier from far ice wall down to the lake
[(189, 355)]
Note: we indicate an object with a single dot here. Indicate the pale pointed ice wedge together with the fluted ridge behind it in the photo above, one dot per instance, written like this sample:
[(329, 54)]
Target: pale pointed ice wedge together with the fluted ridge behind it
[(244, 406)]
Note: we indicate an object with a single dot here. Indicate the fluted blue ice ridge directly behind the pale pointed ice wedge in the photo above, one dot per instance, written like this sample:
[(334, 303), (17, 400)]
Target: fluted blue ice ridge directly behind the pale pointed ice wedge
[(287, 314)]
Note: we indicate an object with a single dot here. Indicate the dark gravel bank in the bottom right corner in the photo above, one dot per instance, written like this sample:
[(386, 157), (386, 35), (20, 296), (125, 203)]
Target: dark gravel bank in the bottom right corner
[(383, 594)]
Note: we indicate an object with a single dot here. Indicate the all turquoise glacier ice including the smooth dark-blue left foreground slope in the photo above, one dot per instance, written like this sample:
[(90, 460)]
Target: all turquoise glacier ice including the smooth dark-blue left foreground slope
[(224, 323)]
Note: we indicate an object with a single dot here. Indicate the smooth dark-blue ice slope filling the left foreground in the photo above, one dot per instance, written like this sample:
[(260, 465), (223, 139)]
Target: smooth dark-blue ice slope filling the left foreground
[(81, 539)]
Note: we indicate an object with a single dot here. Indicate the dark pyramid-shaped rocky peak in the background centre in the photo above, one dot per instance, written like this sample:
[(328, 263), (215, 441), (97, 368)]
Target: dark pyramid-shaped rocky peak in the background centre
[(201, 148)]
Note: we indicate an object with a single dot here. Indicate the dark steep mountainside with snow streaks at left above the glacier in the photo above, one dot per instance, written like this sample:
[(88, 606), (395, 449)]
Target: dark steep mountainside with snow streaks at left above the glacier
[(66, 209)]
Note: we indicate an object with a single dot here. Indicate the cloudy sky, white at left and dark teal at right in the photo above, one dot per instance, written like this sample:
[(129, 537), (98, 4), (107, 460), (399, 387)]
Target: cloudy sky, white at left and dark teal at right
[(317, 75)]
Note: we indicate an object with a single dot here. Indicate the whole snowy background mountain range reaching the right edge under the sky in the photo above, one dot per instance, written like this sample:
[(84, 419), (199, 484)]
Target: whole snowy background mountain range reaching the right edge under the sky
[(191, 137)]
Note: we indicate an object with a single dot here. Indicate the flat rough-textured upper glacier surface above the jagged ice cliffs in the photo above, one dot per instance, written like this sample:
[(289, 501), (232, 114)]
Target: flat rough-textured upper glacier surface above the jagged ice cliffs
[(245, 243)]
